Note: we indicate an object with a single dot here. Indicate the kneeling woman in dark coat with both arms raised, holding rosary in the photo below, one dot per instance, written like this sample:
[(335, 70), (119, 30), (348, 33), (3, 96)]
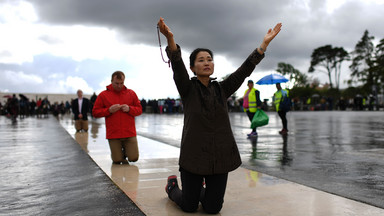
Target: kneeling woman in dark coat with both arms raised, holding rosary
[(208, 149)]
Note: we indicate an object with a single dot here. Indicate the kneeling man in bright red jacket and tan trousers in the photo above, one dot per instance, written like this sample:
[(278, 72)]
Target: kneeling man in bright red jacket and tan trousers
[(119, 105)]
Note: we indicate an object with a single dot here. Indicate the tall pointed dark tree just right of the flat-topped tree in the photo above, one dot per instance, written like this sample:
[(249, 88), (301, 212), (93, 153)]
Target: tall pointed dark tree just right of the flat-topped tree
[(363, 62)]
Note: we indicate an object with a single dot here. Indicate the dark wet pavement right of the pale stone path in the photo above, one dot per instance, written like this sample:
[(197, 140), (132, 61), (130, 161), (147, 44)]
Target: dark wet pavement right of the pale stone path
[(337, 152)]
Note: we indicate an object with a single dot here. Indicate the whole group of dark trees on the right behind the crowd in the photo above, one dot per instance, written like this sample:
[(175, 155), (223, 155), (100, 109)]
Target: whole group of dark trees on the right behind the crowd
[(366, 70)]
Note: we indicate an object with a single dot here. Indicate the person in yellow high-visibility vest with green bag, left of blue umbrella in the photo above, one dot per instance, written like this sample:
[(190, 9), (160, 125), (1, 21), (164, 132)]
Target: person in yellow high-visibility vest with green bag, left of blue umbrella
[(251, 102)]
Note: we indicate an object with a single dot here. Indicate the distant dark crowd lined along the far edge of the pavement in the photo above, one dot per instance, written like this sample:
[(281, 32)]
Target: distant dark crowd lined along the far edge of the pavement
[(22, 107)]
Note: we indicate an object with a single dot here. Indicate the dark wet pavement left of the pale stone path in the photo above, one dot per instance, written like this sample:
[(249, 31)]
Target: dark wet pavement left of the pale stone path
[(45, 172)]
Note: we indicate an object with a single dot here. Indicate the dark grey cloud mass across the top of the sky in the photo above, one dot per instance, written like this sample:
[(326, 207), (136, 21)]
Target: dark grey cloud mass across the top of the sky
[(230, 28)]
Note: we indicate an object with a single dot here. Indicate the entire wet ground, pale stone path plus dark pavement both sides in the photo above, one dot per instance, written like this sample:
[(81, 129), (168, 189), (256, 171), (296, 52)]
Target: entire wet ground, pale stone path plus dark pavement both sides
[(329, 164)]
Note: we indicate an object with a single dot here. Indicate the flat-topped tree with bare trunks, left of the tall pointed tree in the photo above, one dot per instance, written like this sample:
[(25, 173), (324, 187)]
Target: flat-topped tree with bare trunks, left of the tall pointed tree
[(331, 59)]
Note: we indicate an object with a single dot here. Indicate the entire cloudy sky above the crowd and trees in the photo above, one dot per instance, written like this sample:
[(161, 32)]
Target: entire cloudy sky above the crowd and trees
[(59, 46)]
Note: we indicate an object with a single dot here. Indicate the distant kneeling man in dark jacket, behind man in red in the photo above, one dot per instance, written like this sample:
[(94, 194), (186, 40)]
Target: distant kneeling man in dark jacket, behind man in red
[(80, 109)]
